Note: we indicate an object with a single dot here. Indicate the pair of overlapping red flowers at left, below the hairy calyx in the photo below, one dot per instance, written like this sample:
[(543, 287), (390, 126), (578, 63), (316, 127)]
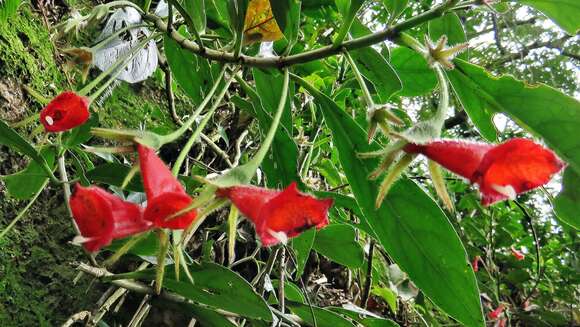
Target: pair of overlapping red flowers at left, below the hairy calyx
[(102, 217)]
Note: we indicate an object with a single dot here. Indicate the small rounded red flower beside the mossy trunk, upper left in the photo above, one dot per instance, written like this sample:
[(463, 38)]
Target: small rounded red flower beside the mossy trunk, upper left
[(68, 110)]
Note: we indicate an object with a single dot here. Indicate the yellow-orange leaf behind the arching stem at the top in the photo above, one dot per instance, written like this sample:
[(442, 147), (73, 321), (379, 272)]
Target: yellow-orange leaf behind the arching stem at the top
[(260, 25)]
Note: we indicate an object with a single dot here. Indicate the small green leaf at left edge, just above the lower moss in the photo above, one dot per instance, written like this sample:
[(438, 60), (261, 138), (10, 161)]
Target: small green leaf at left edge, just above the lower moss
[(25, 184)]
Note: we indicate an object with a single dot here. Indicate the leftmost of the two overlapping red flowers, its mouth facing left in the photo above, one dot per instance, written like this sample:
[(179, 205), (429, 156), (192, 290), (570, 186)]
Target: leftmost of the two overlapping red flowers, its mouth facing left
[(102, 217)]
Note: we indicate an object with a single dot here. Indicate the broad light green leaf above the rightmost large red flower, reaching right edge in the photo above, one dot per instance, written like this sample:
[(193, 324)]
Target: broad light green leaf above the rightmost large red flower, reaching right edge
[(540, 109)]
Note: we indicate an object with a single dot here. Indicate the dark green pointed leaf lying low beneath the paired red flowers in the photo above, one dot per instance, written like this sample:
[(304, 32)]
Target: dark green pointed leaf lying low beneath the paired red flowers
[(215, 286)]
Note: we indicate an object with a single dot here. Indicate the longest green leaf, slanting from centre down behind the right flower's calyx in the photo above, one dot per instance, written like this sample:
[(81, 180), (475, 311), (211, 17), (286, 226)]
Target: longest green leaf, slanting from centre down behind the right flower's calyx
[(409, 224)]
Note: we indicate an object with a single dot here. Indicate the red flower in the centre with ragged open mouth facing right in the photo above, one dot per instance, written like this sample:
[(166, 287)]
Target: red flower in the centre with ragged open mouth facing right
[(278, 215)]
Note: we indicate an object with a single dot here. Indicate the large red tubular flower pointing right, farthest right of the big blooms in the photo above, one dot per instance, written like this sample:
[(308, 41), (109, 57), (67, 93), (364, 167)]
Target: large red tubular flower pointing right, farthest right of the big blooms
[(501, 171)]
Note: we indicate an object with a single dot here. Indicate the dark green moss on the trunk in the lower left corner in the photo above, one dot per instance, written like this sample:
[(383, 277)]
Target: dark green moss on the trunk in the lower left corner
[(36, 287)]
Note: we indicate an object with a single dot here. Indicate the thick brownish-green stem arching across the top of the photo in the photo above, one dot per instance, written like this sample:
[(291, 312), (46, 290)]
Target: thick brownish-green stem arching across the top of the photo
[(391, 33)]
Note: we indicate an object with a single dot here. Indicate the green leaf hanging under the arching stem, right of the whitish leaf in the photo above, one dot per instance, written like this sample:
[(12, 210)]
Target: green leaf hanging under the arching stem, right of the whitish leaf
[(191, 72)]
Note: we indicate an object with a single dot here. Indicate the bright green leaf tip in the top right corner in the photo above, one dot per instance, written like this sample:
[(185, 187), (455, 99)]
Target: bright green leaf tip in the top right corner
[(565, 13)]
